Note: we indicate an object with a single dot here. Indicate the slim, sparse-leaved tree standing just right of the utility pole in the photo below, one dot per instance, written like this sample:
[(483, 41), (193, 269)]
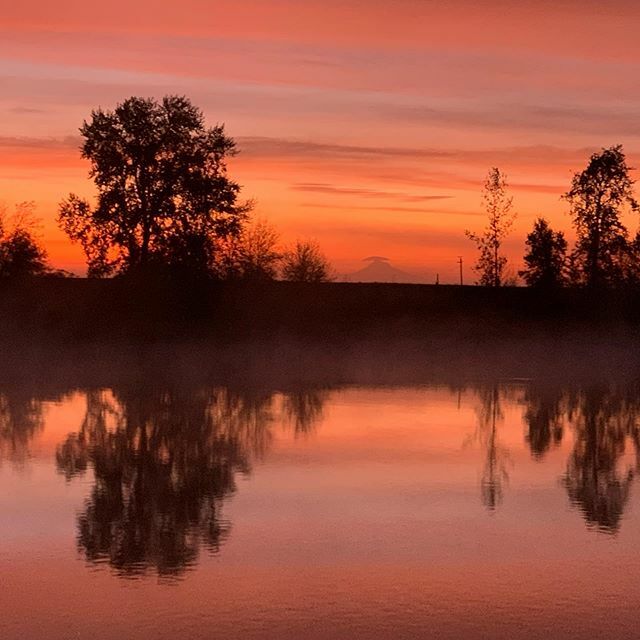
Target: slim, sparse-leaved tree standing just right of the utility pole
[(491, 264)]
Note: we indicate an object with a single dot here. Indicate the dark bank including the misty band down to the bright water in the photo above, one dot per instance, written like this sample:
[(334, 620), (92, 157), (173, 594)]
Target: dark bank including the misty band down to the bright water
[(75, 331)]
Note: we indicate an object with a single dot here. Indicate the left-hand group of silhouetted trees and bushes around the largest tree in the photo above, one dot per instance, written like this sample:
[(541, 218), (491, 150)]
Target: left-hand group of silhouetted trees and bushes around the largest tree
[(164, 205)]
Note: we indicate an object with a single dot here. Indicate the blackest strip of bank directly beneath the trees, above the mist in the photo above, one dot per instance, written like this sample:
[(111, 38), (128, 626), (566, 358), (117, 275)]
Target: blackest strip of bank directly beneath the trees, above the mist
[(77, 309)]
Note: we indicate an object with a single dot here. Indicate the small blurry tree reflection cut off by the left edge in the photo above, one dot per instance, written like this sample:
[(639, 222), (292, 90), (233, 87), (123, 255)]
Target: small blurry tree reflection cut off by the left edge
[(20, 420)]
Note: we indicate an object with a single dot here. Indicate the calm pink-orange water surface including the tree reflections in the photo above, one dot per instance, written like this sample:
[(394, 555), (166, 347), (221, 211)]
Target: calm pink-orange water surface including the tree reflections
[(499, 510)]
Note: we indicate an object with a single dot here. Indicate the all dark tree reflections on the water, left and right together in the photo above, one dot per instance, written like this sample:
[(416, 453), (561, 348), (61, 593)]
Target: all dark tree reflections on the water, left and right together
[(164, 459)]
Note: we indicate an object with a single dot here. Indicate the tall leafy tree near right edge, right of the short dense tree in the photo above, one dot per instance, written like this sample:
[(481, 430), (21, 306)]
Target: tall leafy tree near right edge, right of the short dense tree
[(597, 197)]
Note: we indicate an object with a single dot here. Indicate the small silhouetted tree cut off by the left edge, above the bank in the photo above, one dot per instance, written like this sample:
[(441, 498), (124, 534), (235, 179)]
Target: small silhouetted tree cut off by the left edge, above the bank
[(20, 252)]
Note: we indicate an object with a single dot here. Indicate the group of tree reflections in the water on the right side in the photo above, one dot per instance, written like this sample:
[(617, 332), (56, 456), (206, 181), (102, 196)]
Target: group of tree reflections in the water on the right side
[(605, 421)]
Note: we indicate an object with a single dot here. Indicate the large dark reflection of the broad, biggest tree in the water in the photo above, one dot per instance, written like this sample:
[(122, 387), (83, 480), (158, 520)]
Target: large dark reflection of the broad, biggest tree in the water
[(164, 462)]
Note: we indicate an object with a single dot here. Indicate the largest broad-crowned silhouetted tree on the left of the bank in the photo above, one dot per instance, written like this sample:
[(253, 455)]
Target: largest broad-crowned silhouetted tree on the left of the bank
[(163, 191)]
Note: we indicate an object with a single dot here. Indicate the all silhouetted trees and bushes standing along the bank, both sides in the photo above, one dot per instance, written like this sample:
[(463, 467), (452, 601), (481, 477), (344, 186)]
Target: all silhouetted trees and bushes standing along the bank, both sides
[(166, 204)]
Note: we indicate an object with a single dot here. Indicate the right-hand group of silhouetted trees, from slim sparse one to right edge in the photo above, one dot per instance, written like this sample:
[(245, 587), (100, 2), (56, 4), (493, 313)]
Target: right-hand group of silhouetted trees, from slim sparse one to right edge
[(603, 256)]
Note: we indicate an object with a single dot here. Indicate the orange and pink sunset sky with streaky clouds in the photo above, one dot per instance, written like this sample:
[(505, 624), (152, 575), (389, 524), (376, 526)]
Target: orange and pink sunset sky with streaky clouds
[(367, 125)]
